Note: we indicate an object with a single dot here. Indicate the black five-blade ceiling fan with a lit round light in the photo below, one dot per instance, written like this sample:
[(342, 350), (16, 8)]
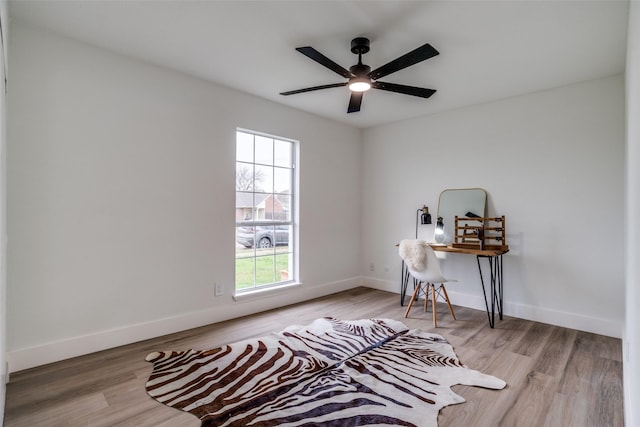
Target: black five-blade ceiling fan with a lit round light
[(360, 76)]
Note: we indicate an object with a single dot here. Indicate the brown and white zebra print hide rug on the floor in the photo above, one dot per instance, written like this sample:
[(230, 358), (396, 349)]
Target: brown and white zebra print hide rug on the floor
[(329, 373)]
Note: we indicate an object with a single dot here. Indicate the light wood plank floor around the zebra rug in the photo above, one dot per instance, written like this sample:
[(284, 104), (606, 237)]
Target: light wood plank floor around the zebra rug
[(555, 376)]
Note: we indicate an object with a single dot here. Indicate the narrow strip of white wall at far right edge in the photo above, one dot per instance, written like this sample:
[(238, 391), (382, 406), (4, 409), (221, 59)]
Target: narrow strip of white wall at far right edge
[(632, 325)]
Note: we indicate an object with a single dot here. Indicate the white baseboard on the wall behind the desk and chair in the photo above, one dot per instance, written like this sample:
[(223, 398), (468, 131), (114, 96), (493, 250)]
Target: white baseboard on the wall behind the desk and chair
[(596, 325)]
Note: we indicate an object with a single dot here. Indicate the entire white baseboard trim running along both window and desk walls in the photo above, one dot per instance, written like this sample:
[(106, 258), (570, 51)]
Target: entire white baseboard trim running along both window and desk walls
[(31, 357)]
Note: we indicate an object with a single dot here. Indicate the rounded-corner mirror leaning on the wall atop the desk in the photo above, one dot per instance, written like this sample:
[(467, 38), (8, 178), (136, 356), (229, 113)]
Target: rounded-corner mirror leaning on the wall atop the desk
[(457, 202)]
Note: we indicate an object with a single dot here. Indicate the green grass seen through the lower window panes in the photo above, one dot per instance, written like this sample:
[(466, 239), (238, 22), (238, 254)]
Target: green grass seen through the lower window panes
[(264, 270)]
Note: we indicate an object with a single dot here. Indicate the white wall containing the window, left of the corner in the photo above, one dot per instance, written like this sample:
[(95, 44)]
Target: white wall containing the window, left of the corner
[(121, 189)]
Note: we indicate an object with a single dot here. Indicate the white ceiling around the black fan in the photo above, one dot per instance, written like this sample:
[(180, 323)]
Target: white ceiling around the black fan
[(489, 50)]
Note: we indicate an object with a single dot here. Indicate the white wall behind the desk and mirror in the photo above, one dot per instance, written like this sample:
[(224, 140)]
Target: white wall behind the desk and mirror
[(552, 163)]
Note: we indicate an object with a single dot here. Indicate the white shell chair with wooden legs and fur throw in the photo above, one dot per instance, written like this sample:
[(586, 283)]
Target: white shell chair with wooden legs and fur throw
[(430, 281)]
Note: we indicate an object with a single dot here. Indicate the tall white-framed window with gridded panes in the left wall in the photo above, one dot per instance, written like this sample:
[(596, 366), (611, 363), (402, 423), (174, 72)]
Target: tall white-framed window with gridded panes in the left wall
[(265, 201)]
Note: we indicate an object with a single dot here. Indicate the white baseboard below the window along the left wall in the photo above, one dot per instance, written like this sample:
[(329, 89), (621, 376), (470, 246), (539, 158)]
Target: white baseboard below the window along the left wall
[(51, 352)]
